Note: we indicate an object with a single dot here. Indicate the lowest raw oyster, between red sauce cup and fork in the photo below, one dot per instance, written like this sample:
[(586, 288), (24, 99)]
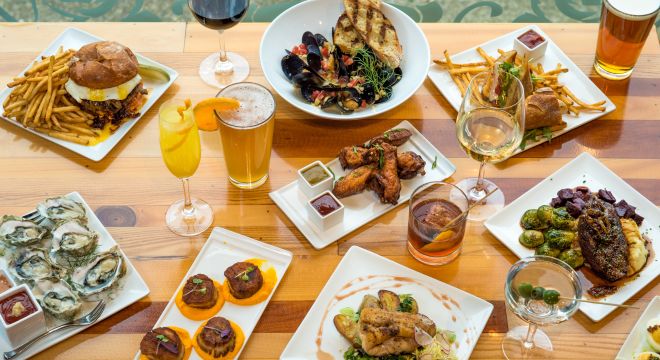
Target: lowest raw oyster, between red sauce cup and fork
[(57, 298)]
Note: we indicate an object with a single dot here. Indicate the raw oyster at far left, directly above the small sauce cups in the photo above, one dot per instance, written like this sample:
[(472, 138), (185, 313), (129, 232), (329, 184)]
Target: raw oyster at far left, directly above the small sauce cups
[(33, 264)]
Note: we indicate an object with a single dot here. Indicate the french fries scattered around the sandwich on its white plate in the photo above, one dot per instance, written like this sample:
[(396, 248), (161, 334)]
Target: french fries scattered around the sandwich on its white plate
[(462, 73)]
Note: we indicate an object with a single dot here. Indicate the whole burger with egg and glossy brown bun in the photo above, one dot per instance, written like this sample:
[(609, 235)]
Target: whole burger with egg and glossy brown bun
[(104, 80)]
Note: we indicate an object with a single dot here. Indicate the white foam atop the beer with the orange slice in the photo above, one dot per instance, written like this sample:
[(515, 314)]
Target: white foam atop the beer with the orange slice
[(257, 105)]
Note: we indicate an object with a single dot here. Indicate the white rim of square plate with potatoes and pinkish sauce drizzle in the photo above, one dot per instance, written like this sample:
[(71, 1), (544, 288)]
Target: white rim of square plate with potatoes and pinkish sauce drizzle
[(358, 250)]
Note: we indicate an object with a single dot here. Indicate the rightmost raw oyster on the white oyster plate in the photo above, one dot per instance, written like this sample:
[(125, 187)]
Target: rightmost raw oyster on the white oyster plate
[(99, 274)]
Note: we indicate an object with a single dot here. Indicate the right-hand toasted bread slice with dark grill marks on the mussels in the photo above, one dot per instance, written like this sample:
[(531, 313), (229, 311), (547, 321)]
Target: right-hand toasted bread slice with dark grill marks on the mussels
[(376, 30)]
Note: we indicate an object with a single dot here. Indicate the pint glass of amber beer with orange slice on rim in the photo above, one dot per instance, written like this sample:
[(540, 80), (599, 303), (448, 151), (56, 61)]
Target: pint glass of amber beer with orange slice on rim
[(247, 133)]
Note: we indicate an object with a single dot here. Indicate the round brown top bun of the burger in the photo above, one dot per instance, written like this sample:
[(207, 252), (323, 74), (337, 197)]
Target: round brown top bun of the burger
[(103, 65)]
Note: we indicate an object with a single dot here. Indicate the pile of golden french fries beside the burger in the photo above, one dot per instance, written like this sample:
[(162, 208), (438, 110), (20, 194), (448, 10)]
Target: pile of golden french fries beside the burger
[(38, 101)]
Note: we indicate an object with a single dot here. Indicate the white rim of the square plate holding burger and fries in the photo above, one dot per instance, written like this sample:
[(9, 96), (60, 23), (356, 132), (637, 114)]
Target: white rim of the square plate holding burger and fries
[(129, 124)]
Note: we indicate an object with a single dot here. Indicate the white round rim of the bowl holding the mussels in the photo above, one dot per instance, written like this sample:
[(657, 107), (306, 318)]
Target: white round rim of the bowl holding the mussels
[(356, 115)]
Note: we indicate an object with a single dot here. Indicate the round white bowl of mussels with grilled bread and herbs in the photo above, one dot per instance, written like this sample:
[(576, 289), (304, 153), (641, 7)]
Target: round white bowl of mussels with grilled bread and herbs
[(344, 59)]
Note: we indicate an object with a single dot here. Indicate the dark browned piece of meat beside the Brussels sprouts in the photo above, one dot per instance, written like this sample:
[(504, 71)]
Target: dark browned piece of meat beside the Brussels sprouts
[(601, 238)]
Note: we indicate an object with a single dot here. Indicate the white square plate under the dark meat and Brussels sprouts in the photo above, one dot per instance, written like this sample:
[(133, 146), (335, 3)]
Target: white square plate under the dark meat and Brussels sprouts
[(583, 170)]
